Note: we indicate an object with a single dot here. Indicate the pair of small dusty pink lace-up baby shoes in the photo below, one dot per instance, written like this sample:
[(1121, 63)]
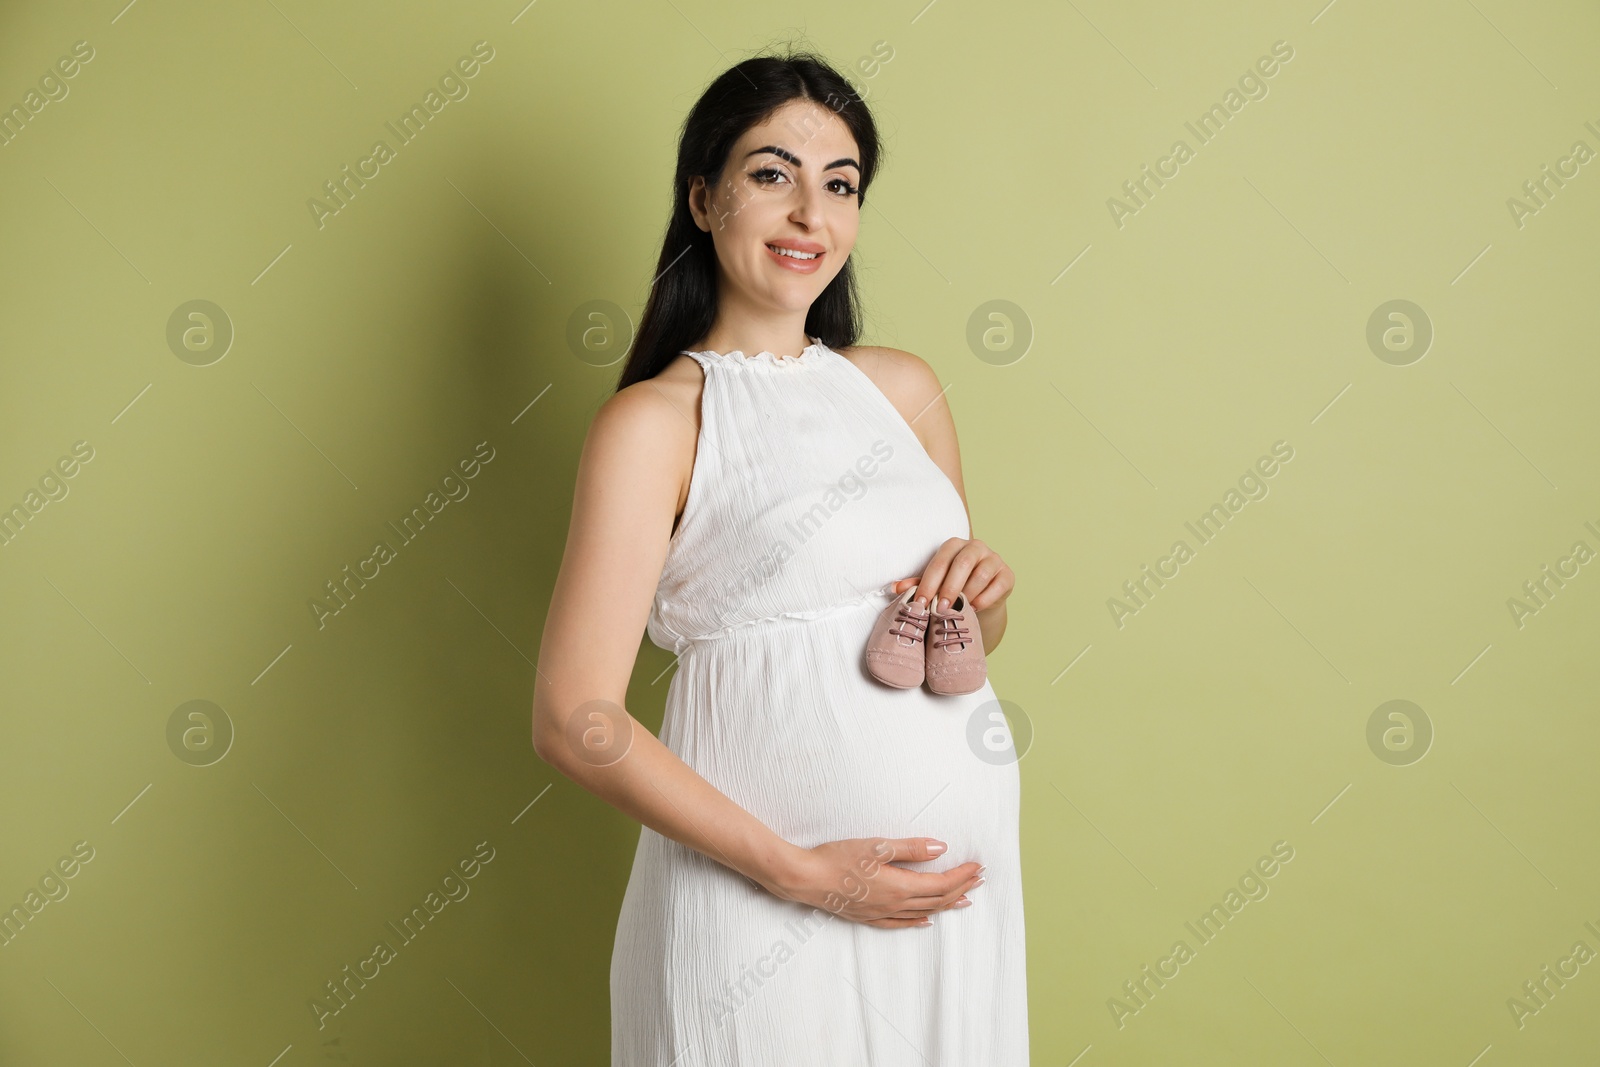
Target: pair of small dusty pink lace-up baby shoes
[(919, 644)]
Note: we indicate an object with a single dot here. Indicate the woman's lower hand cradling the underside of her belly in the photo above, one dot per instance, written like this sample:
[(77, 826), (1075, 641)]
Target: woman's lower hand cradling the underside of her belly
[(855, 879)]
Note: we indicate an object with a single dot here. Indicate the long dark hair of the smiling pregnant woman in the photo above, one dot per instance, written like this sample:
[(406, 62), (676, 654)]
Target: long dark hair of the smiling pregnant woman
[(682, 303)]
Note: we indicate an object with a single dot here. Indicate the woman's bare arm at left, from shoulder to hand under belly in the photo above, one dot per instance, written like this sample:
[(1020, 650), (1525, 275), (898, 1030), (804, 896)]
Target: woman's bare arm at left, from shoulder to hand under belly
[(634, 462)]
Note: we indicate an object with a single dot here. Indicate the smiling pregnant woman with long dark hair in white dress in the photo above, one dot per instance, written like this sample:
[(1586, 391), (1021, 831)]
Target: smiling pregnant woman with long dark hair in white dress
[(828, 869)]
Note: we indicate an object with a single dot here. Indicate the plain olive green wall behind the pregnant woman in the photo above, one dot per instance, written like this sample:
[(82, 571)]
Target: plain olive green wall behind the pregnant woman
[(1138, 372)]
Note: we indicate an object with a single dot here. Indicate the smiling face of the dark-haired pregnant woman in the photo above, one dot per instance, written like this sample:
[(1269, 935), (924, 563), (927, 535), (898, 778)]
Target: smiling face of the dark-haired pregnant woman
[(790, 183)]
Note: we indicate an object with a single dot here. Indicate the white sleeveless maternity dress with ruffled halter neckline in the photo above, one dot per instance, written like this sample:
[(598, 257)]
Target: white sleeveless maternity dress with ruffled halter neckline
[(810, 495)]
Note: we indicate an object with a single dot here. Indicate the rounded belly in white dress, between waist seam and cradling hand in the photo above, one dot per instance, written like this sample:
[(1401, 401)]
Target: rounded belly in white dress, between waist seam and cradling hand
[(799, 735)]
